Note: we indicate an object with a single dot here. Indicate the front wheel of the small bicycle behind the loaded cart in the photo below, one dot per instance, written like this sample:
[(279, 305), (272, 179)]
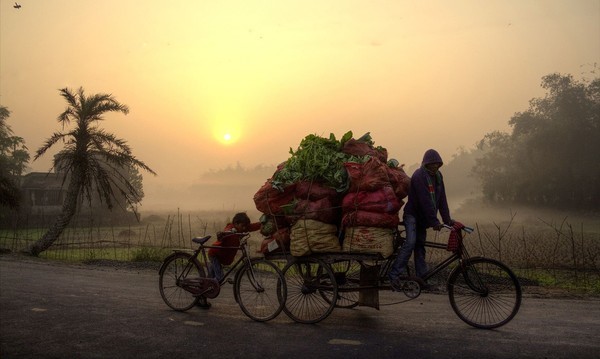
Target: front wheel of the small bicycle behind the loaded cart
[(260, 290)]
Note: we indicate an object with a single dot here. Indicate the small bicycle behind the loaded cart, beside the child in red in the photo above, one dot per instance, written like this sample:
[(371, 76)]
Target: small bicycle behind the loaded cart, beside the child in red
[(258, 285)]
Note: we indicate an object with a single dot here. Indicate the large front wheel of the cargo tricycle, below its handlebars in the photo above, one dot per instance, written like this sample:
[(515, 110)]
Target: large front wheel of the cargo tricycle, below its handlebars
[(484, 293)]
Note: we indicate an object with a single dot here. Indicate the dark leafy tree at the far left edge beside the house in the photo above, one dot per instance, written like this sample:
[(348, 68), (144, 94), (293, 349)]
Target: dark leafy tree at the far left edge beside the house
[(13, 161)]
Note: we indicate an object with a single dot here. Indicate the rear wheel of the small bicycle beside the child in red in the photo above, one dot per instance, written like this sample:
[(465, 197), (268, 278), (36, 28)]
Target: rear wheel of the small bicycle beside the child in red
[(173, 271)]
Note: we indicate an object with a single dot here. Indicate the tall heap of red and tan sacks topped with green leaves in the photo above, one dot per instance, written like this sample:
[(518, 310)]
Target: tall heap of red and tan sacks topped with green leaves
[(328, 187)]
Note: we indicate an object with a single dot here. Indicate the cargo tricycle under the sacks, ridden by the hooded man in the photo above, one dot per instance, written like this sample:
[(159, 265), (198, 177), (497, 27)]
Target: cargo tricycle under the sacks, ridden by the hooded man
[(483, 292)]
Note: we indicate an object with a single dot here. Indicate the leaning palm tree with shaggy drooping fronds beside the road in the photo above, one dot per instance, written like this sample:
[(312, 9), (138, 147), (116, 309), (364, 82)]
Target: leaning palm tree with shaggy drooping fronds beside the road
[(92, 160)]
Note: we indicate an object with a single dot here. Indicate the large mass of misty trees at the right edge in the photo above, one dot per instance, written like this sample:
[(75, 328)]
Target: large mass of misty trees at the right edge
[(551, 157)]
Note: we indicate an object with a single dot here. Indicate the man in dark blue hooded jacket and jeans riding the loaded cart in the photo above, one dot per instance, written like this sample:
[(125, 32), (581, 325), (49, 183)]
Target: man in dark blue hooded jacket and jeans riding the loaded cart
[(426, 197)]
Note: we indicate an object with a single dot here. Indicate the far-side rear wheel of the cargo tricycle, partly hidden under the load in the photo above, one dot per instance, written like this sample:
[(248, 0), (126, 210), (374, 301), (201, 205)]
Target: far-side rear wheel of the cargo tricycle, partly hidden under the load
[(347, 278)]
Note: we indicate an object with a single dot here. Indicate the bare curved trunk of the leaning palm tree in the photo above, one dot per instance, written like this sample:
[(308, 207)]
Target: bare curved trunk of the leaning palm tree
[(62, 221)]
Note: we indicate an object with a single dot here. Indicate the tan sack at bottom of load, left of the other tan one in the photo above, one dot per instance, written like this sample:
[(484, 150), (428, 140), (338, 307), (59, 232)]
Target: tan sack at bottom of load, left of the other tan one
[(309, 235)]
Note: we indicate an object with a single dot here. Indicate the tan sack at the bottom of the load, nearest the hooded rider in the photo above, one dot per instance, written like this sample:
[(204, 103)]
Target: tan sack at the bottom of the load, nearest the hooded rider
[(369, 240)]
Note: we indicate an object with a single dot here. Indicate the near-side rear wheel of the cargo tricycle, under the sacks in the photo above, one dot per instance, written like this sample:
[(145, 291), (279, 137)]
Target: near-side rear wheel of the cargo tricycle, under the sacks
[(309, 282)]
